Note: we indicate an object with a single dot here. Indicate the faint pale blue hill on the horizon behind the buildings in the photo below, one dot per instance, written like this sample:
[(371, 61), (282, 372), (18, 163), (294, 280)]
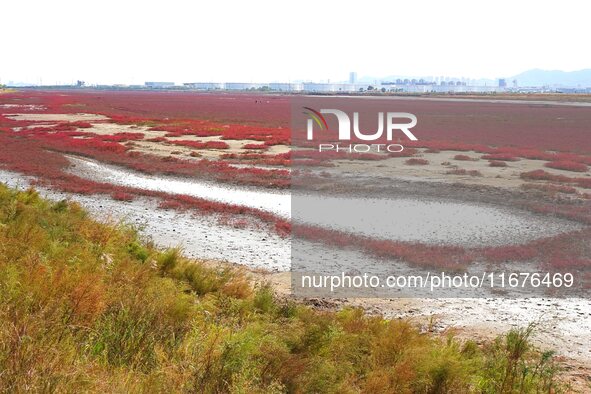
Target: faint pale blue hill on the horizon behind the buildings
[(537, 77)]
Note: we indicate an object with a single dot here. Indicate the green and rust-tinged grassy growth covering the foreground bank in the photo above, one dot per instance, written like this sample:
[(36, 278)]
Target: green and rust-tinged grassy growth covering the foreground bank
[(90, 307)]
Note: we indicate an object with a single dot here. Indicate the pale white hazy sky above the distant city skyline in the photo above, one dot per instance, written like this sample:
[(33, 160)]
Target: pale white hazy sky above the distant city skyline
[(263, 41)]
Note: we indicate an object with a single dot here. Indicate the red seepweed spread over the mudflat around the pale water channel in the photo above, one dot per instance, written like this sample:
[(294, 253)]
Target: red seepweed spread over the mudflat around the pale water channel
[(236, 117)]
